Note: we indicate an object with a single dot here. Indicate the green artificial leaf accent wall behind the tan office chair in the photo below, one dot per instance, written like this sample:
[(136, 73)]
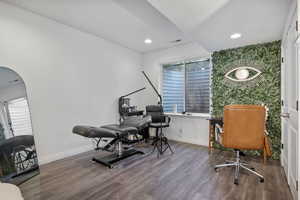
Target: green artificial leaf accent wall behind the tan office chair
[(264, 90)]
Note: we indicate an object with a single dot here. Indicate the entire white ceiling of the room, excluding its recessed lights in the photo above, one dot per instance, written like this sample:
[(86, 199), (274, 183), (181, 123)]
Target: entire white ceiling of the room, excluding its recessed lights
[(130, 22)]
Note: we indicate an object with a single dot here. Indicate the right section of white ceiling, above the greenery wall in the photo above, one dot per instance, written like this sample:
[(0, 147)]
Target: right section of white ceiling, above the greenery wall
[(257, 20)]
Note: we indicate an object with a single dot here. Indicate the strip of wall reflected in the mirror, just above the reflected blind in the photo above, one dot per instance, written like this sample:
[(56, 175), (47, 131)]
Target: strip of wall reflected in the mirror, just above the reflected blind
[(12, 92)]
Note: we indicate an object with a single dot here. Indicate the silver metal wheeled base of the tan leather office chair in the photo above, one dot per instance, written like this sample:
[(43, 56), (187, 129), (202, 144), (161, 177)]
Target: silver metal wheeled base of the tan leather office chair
[(239, 165)]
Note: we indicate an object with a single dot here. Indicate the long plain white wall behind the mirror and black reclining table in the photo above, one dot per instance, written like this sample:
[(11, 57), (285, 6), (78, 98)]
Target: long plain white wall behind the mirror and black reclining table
[(71, 78)]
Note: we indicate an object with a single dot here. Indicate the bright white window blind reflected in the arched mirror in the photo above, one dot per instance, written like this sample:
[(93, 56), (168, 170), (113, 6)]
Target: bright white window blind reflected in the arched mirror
[(20, 117)]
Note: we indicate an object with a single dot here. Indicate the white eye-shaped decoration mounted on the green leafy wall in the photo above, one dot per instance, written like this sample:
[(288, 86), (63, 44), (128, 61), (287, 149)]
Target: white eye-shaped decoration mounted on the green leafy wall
[(241, 74)]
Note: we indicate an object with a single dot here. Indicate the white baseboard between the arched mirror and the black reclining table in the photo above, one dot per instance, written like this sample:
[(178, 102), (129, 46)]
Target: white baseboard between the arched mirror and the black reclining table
[(65, 154)]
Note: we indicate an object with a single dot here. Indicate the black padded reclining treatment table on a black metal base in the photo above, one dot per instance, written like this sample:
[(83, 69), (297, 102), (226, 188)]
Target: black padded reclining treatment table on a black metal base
[(114, 136)]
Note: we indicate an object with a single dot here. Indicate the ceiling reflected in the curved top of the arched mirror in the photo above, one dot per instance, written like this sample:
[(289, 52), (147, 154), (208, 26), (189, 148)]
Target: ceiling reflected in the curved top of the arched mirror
[(9, 78)]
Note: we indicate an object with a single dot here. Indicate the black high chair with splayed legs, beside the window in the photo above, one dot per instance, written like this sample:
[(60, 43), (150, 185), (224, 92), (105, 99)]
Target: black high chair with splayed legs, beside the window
[(159, 121)]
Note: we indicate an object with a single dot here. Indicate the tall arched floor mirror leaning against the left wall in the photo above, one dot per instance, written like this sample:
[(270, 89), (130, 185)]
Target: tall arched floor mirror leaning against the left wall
[(18, 158)]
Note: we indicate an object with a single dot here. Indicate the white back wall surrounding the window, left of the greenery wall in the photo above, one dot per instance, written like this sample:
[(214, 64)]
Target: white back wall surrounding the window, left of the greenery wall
[(183, 128)]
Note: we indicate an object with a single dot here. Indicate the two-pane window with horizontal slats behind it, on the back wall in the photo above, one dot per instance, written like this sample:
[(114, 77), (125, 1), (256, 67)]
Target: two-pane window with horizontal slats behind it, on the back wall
[(186, 87)]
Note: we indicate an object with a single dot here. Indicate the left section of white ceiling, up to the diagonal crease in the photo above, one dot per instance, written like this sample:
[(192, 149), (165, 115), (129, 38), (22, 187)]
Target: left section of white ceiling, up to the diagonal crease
[(126, 22)]
